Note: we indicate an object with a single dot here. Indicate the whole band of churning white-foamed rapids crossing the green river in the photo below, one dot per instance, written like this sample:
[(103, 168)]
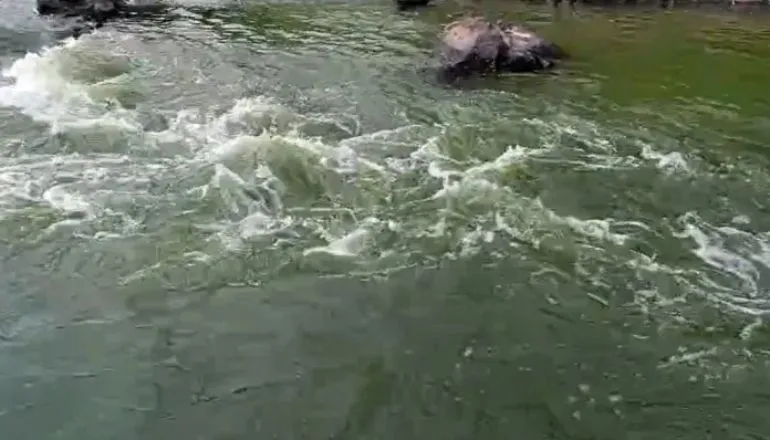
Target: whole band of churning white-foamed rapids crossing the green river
[(256, 175)]
